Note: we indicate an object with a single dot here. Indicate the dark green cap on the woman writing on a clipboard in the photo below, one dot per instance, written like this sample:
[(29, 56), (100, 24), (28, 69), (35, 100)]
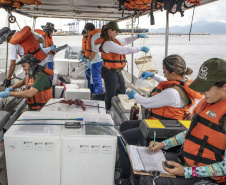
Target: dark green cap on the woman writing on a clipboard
[(210, 72)]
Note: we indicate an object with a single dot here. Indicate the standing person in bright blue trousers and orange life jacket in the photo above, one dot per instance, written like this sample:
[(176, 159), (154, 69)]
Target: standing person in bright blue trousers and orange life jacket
[(94, 60)]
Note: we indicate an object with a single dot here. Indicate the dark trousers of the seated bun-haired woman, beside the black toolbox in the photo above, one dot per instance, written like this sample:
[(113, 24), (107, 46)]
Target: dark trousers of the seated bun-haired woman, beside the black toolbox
[(131, 132)]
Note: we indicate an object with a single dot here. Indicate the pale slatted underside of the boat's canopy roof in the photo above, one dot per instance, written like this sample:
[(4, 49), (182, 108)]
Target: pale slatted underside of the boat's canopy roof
[(104, 10)]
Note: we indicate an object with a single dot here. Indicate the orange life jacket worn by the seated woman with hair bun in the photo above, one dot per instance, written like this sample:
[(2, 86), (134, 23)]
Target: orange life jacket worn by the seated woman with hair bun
[(168, 112)]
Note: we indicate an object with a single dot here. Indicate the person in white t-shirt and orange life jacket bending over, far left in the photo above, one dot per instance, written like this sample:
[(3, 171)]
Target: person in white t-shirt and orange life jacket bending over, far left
[(21, 43)]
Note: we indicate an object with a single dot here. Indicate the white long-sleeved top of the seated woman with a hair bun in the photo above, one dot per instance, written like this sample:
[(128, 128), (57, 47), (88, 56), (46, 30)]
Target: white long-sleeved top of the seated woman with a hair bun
[(167, 97)]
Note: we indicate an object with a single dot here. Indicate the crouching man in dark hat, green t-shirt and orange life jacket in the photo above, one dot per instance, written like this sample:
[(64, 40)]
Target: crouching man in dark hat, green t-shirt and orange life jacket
[(37, 81)]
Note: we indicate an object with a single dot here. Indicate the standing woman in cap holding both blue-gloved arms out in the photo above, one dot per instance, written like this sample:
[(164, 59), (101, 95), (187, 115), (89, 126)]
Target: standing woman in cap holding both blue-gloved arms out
[(113, 51)]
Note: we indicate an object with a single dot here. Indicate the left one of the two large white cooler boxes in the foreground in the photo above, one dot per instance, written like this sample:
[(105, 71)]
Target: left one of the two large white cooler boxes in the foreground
[(32, 153)]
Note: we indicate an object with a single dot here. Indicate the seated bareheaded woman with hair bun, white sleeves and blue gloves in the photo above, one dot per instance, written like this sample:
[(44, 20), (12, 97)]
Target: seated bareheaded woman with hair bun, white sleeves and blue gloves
[(172, 99)]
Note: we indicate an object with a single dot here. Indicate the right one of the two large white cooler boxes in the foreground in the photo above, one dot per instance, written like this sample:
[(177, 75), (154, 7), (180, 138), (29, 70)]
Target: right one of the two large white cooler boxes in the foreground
[(87, 159)]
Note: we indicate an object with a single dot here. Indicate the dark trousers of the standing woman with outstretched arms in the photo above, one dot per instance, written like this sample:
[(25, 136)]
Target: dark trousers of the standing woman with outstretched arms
[(114, 85)]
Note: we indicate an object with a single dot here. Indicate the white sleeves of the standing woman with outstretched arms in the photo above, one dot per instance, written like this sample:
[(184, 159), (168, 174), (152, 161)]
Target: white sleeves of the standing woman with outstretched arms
[(112, 47)]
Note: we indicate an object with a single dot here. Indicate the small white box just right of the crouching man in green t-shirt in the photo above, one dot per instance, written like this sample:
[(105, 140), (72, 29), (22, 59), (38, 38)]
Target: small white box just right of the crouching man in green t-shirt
[(61, 66)]
